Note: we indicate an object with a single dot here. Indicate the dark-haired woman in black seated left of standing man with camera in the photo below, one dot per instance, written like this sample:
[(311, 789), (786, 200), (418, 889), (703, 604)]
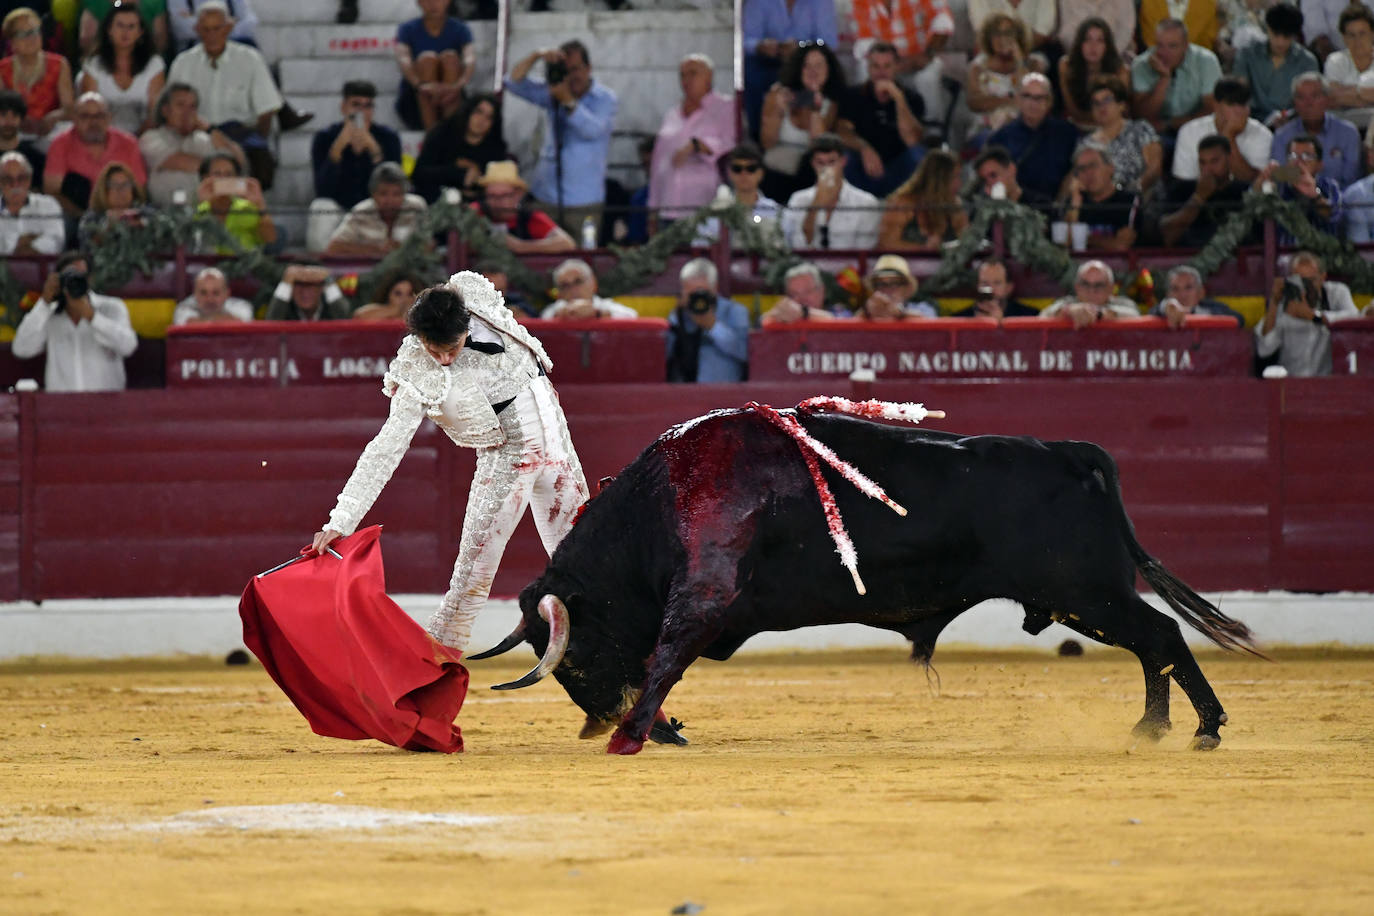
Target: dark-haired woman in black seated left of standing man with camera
[(457, 150)]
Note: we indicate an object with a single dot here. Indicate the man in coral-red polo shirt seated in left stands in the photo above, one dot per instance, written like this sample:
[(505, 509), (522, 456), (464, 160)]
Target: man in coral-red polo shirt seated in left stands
[(78, 156)]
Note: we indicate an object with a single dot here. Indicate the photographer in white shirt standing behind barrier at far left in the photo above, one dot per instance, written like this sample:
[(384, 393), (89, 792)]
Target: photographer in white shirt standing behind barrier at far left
[(86, 336)]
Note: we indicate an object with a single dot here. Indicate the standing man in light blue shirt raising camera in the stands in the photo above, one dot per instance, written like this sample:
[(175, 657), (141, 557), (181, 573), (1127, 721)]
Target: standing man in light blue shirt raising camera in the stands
[(570, 181)]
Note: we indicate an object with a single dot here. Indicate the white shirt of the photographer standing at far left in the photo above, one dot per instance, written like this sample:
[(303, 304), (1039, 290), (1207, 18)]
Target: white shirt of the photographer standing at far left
[(86, 356)]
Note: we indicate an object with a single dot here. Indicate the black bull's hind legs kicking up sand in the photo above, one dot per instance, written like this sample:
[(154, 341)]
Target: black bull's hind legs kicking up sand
[(1158, 642)]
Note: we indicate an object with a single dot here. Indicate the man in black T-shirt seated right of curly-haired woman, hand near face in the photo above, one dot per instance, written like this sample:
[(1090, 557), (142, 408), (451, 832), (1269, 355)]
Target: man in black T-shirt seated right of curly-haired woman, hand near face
[(880, 122)]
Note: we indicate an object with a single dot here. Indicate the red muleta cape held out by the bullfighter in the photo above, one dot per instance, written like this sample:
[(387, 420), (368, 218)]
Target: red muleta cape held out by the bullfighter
[(348, 657)]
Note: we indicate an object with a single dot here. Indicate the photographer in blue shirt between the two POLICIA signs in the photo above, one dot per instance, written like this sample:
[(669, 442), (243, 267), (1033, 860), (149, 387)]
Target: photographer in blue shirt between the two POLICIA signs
[(708, 336)]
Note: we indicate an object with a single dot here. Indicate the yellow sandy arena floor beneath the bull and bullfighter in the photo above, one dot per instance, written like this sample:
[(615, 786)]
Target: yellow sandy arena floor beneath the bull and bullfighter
[(815, 783)]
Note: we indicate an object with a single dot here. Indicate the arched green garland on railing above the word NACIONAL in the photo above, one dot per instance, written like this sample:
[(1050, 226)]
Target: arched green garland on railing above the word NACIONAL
[(1027, 240)]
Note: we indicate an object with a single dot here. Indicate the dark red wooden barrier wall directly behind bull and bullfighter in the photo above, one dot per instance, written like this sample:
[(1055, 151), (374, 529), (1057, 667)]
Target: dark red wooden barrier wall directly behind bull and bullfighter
[(1236, 484)]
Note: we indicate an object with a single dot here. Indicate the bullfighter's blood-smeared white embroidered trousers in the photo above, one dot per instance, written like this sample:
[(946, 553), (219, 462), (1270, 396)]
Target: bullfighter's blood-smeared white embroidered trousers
[(535, 468)]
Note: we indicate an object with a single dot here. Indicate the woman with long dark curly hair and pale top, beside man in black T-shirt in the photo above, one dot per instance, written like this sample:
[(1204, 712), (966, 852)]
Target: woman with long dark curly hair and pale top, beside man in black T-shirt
[(802, 106)]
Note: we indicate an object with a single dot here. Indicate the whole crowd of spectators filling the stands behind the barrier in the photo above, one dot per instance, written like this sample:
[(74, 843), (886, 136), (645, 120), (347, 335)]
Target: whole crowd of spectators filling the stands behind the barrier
[(1126, 123)]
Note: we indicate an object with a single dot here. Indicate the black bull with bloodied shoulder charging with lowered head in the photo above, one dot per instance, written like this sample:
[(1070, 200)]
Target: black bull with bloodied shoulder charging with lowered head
[(715, 534)]
